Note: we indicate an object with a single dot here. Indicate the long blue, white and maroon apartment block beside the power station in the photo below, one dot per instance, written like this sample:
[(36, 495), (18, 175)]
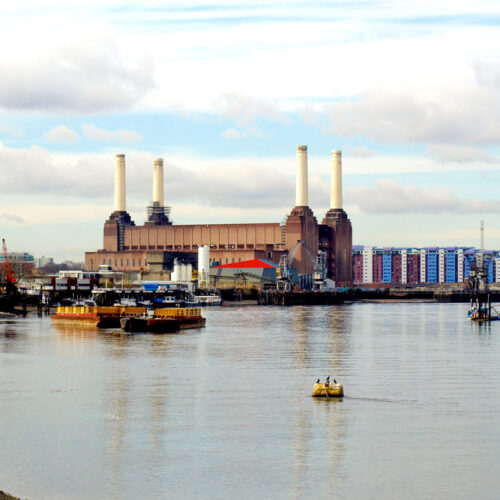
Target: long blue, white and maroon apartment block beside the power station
[(419, 265)]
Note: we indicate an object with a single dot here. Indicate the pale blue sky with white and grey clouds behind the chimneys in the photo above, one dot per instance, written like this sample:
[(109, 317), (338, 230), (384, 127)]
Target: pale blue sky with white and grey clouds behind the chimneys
[(224, 91)]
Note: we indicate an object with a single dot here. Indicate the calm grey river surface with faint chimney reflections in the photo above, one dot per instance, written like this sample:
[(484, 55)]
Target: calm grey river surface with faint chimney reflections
[(225, 412)]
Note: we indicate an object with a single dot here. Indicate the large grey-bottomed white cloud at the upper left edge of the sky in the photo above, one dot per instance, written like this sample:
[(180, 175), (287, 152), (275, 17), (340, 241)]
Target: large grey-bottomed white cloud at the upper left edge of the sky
[(78, 75)]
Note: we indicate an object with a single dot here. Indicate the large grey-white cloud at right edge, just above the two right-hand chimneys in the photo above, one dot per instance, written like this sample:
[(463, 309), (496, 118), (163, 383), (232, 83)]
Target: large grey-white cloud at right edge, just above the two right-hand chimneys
[(437, 114)]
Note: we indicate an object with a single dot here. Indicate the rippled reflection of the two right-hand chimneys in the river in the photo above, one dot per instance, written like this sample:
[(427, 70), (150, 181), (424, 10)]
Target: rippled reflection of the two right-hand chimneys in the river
[(320, 337)]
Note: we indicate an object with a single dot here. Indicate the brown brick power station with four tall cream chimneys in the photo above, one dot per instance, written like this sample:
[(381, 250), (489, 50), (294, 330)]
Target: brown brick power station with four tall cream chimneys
[(153, 247)]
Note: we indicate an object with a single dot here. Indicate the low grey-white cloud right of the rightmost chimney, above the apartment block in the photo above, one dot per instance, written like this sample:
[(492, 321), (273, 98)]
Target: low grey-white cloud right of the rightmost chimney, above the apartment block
[(388, 197)]
